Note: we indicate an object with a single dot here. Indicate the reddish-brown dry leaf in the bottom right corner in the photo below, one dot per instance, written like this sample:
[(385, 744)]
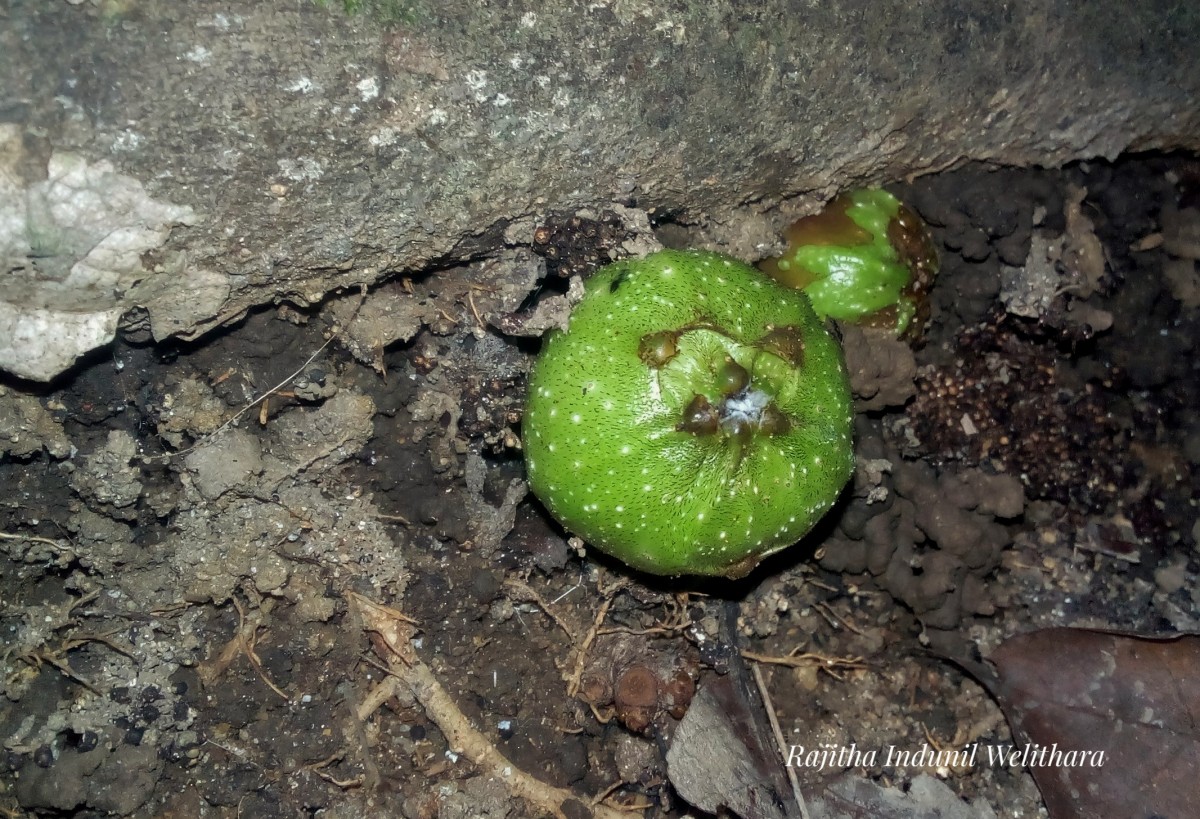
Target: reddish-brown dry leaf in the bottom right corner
[(1133, 700)]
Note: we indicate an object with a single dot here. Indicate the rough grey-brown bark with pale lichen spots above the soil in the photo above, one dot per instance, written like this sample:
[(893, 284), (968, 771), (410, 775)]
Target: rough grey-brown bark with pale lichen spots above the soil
[(321, 152)]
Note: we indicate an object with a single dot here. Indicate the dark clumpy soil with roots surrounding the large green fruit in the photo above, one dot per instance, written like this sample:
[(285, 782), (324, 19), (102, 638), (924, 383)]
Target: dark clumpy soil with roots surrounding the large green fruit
[(181, 557)]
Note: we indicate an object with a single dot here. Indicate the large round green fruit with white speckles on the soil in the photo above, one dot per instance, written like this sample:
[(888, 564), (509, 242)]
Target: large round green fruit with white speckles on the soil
[(693, 419)]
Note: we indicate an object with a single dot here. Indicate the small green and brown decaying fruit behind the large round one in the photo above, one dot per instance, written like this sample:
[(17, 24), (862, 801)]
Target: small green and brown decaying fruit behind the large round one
[(866, 259)]
